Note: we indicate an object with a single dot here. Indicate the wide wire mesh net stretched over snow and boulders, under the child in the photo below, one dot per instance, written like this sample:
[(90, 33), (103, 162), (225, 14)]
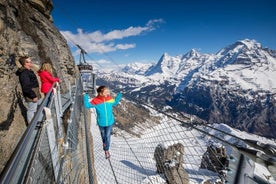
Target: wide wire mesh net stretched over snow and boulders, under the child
[(179, 151)]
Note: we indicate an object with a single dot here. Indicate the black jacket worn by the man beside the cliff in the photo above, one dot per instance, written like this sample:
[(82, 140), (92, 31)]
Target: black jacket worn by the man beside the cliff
[(29, 83)]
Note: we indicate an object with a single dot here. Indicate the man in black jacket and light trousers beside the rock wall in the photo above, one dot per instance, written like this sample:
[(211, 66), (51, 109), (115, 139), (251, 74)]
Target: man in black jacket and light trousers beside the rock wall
[(30, 86)]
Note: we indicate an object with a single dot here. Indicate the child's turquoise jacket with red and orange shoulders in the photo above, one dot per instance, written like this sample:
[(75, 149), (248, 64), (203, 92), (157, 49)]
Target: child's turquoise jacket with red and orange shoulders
[(103, 106)]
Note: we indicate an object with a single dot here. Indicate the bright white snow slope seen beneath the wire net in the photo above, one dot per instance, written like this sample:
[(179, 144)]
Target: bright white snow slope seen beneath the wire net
[(133, 155)]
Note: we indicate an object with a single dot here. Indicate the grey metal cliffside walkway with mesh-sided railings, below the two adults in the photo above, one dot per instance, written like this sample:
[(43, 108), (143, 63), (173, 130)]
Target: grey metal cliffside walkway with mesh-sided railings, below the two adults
[(49, 150)]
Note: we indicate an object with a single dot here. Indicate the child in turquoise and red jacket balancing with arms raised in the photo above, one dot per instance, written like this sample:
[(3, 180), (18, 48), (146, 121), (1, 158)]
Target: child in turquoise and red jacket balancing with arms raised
[(103, 103)]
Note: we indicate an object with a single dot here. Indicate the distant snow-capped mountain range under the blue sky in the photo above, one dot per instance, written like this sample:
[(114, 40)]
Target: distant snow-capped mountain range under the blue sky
[(236, 86)]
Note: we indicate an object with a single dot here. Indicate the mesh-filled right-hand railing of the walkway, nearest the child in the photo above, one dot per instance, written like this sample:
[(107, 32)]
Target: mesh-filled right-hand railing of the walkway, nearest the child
[(76, 161)]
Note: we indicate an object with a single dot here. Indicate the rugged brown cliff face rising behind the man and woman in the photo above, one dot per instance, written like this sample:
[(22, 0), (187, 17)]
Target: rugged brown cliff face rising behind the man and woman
[(26, 28)]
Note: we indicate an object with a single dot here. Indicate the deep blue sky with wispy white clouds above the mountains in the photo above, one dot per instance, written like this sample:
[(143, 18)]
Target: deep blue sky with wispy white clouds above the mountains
[(142, 30)]
